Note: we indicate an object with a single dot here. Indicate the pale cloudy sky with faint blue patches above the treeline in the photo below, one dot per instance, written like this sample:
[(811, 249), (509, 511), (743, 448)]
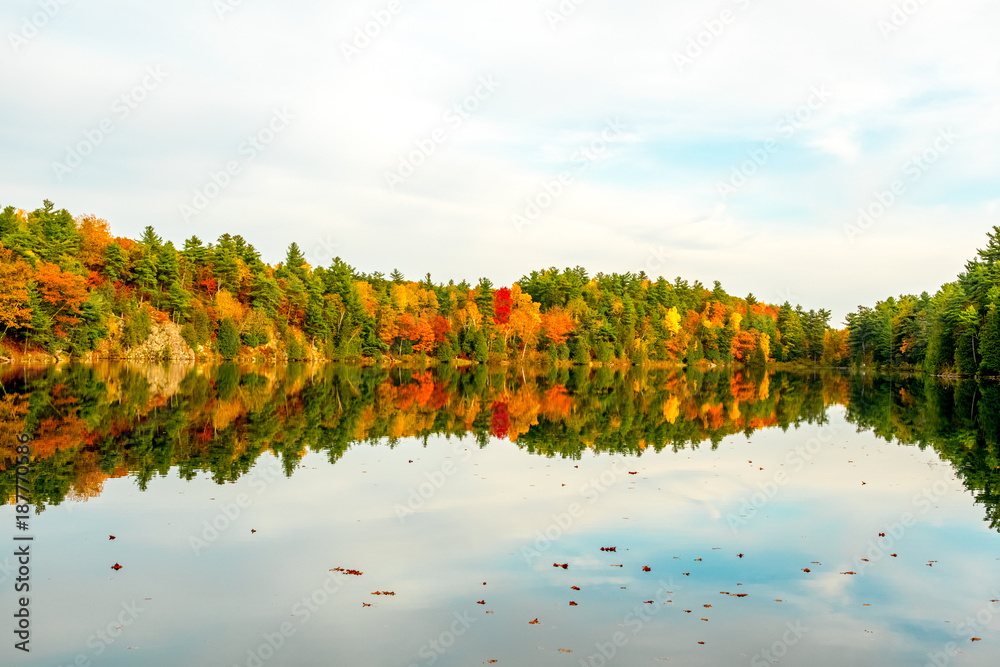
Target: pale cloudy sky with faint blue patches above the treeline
[(828, 154)]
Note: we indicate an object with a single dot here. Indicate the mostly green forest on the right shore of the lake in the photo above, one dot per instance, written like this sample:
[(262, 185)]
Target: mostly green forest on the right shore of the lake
[(956, 331)]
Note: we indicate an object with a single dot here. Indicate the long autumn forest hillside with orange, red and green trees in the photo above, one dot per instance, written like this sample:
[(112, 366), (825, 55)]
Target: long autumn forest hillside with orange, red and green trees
[(69, 288)]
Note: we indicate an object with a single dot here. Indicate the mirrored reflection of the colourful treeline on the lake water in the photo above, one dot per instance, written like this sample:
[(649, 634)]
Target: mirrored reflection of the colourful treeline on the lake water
[(94, 422)]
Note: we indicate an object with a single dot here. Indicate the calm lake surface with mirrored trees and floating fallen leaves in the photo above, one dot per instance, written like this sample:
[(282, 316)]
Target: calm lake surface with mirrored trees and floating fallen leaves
[(573, 518)]
